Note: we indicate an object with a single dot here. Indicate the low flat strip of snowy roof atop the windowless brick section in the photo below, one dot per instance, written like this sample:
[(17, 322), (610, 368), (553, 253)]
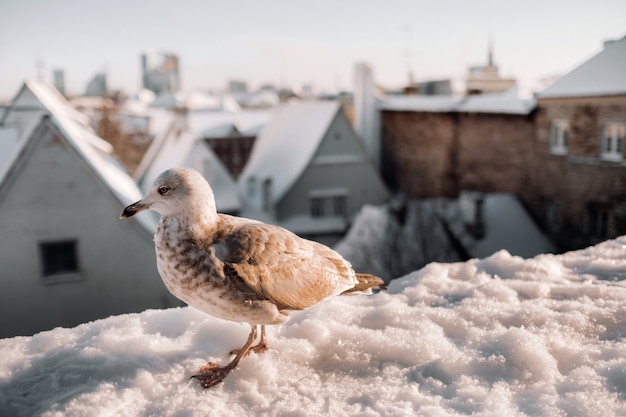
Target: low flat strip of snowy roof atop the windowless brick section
[(507, 102)]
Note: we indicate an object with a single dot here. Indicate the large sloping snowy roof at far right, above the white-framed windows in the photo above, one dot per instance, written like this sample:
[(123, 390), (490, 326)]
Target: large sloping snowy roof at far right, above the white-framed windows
[(602, 75)]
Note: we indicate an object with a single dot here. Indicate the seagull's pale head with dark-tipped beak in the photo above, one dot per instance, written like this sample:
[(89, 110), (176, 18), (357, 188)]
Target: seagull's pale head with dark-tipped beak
[(173, 192)]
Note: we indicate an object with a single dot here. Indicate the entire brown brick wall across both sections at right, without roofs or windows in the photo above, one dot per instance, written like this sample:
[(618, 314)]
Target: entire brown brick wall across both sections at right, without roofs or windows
[(440, 154)]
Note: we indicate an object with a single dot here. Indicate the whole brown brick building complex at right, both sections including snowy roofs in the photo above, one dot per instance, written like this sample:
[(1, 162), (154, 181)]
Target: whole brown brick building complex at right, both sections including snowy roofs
[(562, 155)]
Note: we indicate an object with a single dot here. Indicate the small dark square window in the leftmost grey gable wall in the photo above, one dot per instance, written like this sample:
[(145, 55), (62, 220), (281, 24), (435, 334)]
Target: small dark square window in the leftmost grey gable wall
[(59, 261)]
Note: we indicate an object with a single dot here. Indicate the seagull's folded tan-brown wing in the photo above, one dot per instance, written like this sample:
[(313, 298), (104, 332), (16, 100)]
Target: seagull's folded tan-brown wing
[(292, 272)]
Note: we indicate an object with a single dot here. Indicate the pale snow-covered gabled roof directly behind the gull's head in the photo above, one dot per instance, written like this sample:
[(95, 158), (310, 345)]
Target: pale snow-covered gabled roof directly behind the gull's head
[(182, 147)]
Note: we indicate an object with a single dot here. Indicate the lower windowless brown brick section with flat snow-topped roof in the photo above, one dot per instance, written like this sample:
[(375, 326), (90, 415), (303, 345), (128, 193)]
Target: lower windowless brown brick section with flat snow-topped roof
[(439, 146)]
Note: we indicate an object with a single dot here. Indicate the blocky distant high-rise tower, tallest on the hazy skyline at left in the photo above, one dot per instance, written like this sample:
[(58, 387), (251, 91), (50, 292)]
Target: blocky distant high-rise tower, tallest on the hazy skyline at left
[(160, 72)]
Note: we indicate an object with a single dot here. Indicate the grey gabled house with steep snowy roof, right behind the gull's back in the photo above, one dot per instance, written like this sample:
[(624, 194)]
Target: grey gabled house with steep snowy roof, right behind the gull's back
[(309, 172)]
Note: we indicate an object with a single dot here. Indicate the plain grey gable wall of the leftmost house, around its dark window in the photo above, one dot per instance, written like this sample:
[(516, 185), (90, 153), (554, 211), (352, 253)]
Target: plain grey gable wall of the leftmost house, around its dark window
[(53, 195)]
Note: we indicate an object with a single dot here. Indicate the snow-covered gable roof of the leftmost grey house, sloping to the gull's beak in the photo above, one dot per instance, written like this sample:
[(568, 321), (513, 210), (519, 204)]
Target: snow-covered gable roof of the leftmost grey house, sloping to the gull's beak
[(74, 126)]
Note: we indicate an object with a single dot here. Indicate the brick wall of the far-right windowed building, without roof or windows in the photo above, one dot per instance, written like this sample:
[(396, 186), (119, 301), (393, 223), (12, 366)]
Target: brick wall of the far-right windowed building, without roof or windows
[(569, 190)]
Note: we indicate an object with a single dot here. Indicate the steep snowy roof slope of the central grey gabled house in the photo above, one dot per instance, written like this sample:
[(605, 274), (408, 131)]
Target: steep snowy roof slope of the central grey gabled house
[(287, 144)]
